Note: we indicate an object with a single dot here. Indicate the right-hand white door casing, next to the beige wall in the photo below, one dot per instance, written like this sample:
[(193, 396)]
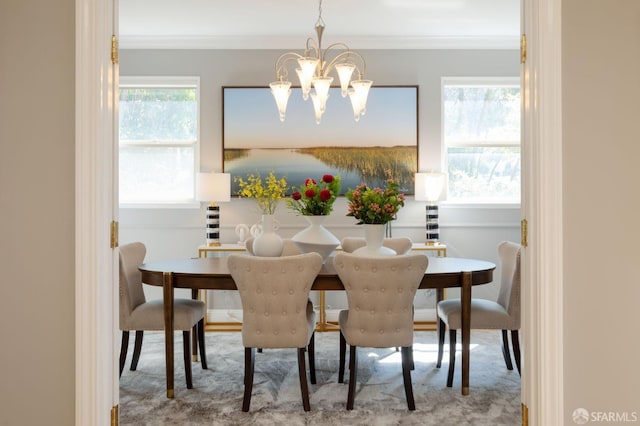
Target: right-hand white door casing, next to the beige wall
[(542, 269)]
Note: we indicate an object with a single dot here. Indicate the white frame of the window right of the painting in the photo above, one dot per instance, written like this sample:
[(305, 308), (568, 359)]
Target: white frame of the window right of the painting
[(489, 81)]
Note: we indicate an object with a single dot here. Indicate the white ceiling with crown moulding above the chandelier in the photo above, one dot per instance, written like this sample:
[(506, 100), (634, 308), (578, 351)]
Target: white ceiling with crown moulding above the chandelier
[(285, 24)]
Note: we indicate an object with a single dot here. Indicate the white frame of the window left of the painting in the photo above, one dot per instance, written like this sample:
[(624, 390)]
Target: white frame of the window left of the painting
[(167, 82)]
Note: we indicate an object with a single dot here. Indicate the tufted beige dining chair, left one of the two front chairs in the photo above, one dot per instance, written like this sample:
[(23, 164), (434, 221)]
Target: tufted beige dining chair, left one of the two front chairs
[(276, 312)]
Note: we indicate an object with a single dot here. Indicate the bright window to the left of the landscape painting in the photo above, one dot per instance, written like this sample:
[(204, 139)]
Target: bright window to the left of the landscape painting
[(159, 134)]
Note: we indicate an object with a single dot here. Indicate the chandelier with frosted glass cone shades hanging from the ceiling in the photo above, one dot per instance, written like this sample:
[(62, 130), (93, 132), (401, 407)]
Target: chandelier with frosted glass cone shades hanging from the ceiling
[(314, 68)]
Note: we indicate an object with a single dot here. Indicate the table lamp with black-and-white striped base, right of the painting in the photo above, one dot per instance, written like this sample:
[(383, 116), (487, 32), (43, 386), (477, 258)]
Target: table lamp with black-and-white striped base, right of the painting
[(431, 187)]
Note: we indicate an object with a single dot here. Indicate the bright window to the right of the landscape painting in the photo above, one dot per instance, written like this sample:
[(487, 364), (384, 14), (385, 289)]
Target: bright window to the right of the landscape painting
[(481, 128)]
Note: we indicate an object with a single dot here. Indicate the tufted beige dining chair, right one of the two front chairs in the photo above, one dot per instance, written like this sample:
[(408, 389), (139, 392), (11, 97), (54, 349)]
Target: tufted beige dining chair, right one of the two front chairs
[(380, 293)]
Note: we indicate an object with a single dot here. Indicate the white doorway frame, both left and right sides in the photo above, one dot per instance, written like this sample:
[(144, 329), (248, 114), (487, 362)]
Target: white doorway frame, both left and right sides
[(96, 267)]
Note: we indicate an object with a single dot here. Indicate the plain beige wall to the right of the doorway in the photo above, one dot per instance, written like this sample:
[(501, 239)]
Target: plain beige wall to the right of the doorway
[(601, 147)]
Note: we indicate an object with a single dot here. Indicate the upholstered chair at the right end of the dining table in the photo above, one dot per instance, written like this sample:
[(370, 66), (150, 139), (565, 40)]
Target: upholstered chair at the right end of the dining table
[(502, 314)]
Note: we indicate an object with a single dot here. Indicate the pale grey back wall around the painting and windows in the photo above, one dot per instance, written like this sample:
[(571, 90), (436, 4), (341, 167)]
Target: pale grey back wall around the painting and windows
[(468, 231)]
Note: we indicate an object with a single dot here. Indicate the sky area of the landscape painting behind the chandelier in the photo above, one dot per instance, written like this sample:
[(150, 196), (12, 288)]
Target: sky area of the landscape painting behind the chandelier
[(251, 120)]
